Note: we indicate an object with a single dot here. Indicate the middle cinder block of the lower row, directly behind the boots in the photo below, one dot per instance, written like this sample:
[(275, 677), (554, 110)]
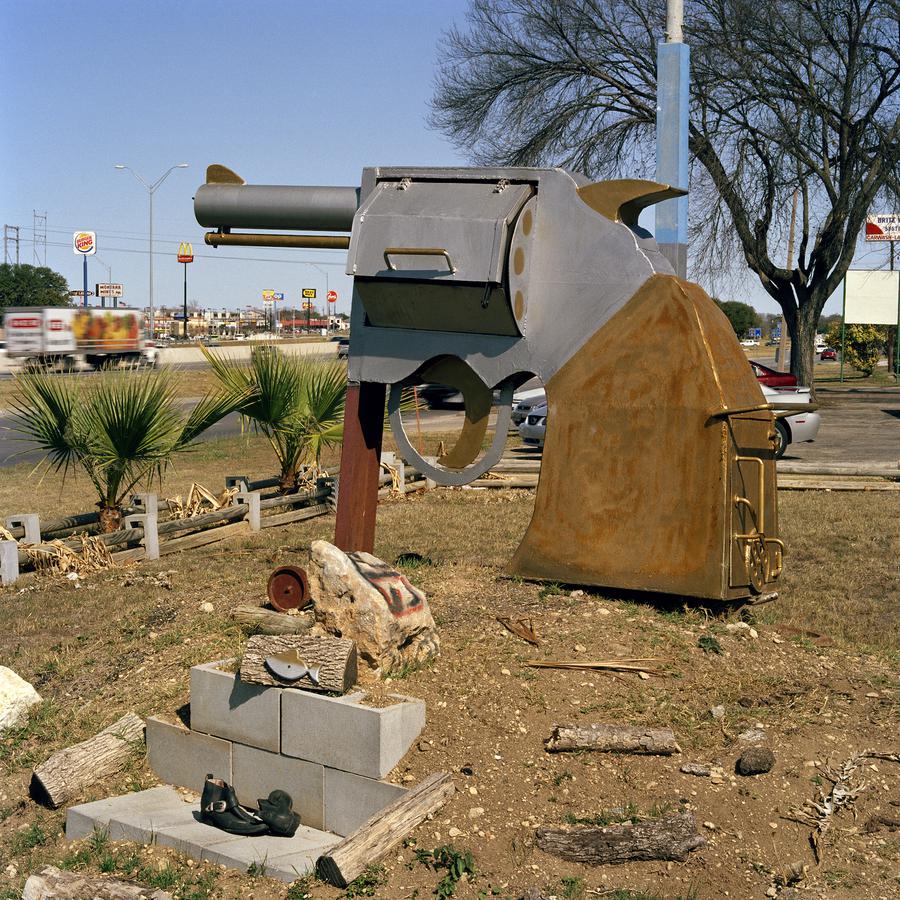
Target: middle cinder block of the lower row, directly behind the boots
[(256, 773)]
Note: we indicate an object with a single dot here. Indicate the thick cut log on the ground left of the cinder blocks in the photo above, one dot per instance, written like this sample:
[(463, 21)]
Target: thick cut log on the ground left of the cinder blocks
[(67, 773)]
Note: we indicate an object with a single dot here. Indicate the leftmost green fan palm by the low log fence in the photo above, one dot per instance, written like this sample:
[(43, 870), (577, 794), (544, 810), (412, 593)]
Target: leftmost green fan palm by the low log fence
[(121, 428)]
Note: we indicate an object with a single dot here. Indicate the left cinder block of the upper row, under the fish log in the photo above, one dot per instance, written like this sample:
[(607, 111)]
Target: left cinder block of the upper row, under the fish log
[(223, 706)]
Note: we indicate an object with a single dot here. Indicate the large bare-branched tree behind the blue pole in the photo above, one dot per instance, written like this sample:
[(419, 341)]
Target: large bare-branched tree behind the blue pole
[(790, 95)]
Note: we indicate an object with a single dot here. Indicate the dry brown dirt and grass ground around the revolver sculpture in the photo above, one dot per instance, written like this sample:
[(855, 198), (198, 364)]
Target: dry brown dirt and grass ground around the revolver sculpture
[(820, 679)]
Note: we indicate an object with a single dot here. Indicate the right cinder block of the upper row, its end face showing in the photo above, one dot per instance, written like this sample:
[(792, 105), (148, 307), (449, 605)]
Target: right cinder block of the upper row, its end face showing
[(341, 733)]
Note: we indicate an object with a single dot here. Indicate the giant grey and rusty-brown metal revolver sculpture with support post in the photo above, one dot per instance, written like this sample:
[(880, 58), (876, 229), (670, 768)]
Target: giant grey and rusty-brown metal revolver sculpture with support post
[(658, 469)]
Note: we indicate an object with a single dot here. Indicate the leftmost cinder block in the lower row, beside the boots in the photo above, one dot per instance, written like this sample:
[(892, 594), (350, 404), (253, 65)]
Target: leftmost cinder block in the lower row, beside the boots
[(183, 757)]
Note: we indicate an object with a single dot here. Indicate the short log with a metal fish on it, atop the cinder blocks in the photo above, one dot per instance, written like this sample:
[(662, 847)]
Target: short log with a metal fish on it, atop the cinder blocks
[(335, 658)]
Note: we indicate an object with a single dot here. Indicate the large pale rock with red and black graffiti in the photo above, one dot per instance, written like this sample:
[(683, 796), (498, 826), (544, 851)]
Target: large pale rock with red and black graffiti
[(357, 596)]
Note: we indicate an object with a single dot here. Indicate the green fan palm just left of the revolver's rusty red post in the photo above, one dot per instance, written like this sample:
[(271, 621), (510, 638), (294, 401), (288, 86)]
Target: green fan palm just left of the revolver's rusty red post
[(296, 403)]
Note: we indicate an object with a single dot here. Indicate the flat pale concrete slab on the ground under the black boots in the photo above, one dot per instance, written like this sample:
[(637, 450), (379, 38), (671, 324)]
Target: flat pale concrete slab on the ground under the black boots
[(140, 817)]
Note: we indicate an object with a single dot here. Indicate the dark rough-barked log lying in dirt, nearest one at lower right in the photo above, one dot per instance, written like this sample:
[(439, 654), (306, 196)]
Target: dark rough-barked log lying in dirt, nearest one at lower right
[(670, 838)]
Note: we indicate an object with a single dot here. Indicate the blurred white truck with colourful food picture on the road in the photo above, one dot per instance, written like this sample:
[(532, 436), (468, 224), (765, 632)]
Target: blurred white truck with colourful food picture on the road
[(63, 336)]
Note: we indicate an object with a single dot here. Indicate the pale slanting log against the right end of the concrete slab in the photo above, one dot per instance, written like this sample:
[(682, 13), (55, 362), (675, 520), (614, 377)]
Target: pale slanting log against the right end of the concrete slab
[(346, 860)]
